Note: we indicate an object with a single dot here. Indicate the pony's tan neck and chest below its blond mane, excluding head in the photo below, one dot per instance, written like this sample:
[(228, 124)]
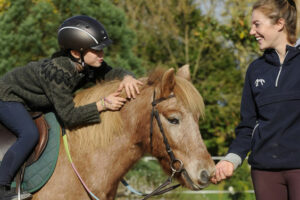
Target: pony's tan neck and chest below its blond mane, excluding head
[(109, 164)]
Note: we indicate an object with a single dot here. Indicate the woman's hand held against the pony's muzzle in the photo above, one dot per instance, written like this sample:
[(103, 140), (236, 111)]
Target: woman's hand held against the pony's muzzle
[(224, 170)]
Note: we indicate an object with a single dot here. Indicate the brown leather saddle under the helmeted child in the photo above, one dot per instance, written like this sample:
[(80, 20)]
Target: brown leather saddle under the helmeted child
[(7, 138)]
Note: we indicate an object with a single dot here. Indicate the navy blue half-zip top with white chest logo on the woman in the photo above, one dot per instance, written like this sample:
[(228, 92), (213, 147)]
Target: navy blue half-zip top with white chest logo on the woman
[(270, 112)]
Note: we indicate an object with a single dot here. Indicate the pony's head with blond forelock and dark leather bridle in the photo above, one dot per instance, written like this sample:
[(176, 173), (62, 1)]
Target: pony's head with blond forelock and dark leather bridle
[(179, 106)]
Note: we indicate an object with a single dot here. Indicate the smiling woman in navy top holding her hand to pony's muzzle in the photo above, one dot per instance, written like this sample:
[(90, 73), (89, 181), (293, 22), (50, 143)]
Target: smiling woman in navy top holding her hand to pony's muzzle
[(270, 121)]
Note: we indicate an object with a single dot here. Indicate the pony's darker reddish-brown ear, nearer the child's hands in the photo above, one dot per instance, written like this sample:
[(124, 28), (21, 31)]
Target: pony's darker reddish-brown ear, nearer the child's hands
[(168, 82)]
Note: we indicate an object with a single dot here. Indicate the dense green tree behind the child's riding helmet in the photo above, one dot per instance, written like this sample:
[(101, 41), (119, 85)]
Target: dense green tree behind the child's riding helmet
[(28, 31)]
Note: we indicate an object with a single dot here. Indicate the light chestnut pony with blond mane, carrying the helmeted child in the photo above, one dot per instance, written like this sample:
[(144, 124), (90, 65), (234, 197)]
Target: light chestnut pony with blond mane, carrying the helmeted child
[(103, 153)]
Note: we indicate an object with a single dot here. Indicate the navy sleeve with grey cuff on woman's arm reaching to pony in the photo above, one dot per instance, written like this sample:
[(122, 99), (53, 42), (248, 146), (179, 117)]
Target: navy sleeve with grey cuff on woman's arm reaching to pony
[(242, 143)]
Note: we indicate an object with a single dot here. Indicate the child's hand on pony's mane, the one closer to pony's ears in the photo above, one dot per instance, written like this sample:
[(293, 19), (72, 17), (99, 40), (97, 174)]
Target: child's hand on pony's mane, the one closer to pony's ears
[(131, 86)]
